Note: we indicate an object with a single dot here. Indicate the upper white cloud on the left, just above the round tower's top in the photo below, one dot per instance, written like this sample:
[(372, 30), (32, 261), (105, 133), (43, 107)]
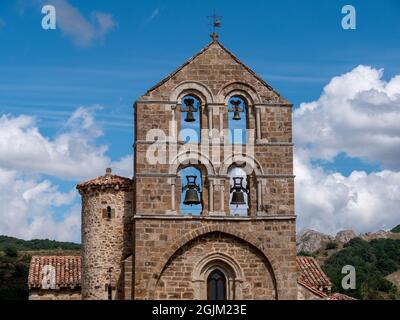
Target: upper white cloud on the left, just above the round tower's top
[(73, 154)]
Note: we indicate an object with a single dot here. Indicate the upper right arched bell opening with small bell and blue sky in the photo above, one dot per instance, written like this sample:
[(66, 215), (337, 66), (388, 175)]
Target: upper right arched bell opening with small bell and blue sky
[(237, 120)]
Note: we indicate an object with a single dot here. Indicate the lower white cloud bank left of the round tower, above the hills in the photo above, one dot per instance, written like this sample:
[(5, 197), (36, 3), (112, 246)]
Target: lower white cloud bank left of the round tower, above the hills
[(27, 208)]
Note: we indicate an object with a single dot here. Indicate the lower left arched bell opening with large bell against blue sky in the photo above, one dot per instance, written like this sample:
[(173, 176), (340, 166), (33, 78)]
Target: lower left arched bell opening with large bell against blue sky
[(192, 190)]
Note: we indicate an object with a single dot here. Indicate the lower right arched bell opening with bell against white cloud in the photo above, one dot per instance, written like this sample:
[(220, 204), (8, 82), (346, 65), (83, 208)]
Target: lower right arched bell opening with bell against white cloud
[(238, 196)]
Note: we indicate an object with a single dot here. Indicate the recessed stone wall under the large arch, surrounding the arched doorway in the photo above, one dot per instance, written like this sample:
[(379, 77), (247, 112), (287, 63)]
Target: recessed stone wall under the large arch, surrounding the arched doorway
[(180, 281)]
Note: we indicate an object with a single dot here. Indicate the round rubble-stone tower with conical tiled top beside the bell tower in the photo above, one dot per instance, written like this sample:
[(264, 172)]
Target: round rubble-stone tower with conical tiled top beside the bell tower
[(106, 235)]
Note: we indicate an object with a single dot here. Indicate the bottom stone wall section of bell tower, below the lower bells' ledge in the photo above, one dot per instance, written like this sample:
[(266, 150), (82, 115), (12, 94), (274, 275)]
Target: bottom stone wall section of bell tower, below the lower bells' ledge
[(161, 244)]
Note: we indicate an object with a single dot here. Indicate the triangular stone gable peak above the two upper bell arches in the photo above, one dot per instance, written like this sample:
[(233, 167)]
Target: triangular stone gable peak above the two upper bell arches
[(217, 70)]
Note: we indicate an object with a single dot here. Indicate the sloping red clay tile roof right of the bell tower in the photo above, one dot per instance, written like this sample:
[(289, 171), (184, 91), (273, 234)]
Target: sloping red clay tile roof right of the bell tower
[(312, 274)]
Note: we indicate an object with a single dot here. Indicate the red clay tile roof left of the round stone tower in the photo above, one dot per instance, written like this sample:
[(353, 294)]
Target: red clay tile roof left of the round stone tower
[(63, 271)]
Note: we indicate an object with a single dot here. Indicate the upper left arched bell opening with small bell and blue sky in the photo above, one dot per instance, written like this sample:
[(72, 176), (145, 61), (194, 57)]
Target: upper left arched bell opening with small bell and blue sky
[(190, 119)]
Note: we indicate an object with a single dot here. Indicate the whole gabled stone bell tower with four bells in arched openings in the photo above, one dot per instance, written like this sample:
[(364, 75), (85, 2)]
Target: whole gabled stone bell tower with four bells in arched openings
[(235, 246)]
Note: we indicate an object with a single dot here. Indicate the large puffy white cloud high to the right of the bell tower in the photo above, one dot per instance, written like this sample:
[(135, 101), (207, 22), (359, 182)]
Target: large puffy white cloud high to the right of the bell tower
[(358, 113)]
